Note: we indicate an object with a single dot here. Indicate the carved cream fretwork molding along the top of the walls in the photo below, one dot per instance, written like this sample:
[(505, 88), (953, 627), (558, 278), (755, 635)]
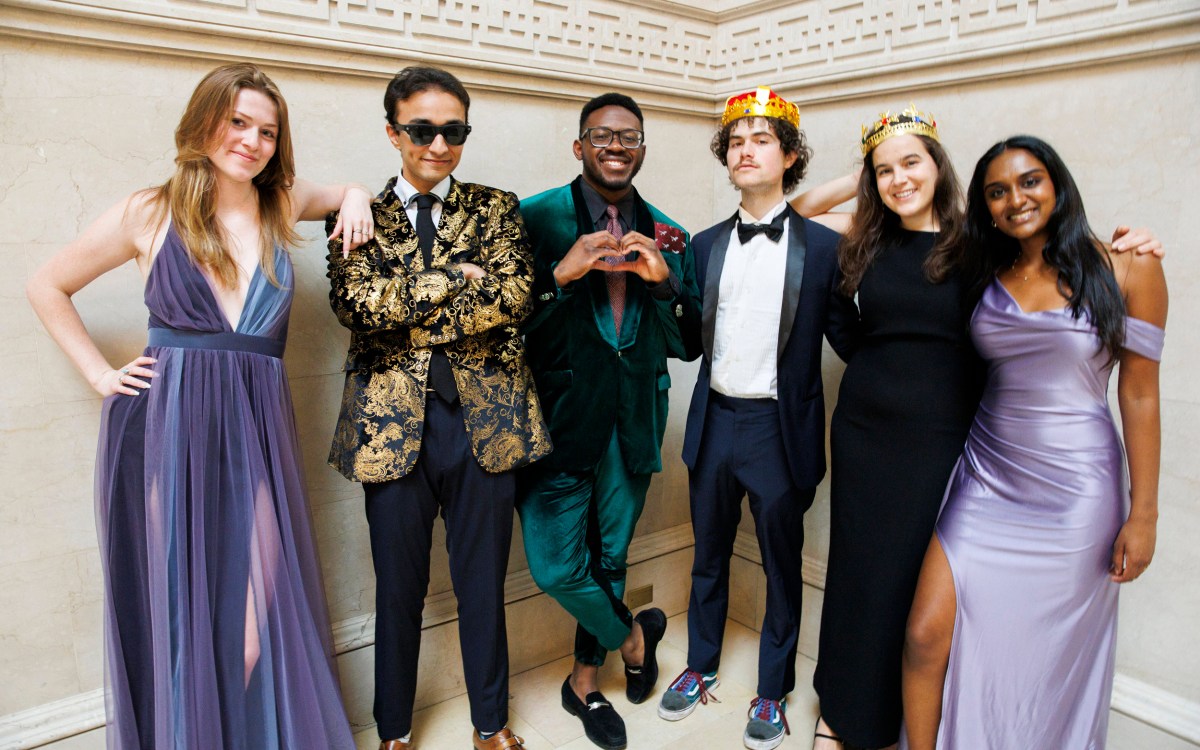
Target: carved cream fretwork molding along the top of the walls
[(671, 56)]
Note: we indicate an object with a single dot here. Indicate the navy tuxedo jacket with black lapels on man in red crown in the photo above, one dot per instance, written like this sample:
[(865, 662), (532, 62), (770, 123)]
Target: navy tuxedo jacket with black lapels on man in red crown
[(812, 308)]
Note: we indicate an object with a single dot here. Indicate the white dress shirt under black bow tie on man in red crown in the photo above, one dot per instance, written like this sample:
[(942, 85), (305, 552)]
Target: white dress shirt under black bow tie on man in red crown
[(751, 298)]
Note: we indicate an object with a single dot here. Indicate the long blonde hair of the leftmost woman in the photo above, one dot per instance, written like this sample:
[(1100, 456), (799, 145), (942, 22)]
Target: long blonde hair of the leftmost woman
[(190, 195)]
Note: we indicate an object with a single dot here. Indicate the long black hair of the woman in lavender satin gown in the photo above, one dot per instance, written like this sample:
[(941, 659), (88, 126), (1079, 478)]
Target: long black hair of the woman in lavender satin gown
[(1085, 272)]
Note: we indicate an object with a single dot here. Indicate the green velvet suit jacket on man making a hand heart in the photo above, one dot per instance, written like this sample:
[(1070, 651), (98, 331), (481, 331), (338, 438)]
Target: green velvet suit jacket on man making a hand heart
[(589, 381)]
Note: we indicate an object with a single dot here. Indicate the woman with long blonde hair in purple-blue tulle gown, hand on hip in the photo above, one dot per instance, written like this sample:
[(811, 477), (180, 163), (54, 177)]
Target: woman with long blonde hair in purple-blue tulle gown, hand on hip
[(217, 632)]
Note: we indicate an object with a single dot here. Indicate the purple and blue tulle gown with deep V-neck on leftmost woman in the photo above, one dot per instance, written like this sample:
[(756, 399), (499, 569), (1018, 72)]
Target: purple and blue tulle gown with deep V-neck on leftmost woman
[(217, 631)]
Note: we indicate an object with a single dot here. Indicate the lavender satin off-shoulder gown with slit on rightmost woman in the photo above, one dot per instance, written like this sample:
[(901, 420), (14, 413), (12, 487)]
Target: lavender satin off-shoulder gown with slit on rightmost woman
[(1031, 514)]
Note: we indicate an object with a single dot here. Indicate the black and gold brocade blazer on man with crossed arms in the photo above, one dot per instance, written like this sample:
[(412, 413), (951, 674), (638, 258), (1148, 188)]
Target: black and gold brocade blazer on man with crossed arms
[(397, 309)]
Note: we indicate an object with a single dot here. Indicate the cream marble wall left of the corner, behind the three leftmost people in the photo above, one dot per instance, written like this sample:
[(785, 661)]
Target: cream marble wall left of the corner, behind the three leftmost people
[(81, 131)]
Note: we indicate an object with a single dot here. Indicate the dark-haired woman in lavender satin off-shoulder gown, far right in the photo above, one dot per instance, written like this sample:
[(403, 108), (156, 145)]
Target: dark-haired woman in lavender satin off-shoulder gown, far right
[(1013, 631)]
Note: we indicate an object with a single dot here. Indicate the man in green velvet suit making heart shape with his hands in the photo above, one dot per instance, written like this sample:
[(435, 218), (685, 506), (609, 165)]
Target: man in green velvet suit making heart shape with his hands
[(615, 295)]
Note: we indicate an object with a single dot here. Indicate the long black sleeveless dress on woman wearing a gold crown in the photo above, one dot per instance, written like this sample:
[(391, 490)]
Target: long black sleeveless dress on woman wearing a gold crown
[(907, 403)]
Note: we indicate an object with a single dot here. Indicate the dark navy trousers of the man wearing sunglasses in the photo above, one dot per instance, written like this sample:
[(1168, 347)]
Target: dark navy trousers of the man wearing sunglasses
[(477, 508)]
